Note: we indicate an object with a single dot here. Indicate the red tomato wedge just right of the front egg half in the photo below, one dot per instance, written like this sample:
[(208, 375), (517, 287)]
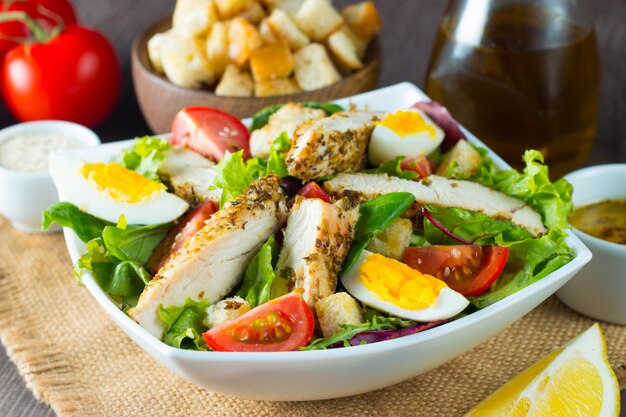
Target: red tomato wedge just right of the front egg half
[(467, 269)]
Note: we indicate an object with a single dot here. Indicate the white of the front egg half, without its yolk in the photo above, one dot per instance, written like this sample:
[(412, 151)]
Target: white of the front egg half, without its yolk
[(448, 304)]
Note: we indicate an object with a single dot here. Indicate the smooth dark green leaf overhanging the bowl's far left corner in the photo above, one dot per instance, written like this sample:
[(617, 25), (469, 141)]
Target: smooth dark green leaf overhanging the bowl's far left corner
[(86, 226)]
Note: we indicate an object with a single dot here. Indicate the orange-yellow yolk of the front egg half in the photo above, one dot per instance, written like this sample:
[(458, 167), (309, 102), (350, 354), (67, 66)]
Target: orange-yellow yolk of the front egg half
[(399, 284)]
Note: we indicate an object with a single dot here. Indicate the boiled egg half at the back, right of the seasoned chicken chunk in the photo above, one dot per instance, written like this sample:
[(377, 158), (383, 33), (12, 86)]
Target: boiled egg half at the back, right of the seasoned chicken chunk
[(408, 133)]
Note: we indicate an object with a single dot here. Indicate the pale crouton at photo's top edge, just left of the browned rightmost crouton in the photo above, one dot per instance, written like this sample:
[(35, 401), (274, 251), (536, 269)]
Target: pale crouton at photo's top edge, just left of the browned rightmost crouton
[(318, 19)]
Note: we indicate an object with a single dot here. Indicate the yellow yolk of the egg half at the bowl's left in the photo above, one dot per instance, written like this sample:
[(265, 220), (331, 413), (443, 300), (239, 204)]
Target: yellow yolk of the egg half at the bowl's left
[(121, 184)]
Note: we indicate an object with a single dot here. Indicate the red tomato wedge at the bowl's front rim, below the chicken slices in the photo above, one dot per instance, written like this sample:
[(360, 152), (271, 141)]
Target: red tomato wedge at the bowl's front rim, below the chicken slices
[(279, 325)]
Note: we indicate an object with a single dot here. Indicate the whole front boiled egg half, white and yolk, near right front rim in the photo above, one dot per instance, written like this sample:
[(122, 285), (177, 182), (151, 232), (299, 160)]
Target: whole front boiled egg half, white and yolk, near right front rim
[(395, 288)]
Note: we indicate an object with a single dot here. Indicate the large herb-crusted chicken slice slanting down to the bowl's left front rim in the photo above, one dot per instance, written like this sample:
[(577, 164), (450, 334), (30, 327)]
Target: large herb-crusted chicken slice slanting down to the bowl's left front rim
[(212, 262)]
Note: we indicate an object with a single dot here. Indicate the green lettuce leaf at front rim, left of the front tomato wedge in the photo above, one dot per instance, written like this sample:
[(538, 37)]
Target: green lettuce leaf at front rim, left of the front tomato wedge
[(183, 324)]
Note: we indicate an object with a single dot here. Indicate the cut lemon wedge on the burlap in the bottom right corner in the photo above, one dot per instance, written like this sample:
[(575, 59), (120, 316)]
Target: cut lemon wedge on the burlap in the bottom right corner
[(574, 381)]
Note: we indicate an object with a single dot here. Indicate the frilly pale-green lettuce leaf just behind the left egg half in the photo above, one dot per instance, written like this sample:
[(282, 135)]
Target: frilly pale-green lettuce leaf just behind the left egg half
[(145, 156)]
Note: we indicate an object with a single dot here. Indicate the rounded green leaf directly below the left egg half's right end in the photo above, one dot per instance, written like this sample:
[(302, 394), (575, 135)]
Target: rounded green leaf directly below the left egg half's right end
[(134, 244)]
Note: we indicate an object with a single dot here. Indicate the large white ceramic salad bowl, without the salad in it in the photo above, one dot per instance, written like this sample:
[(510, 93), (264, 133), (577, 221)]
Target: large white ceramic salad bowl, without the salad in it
[(314, 375)]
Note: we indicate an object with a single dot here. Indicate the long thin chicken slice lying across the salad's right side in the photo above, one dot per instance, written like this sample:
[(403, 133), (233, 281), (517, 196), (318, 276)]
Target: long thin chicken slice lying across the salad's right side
[(442, 192)]
